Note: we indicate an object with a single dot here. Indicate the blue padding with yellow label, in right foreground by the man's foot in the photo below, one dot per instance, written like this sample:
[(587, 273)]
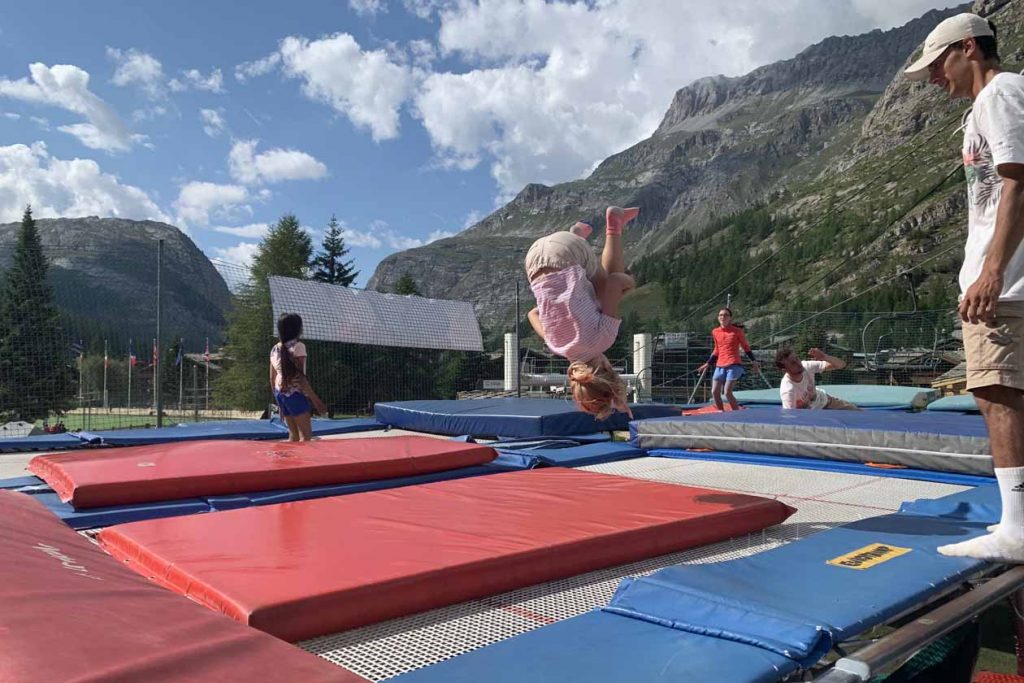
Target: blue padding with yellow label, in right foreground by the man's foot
[(755, 620)]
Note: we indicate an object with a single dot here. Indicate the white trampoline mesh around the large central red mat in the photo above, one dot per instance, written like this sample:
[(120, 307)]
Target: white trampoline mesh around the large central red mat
[(824, 500)]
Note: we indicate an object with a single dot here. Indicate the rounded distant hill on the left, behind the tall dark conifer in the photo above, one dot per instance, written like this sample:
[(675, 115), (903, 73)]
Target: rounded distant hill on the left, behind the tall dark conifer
[(104, 272)]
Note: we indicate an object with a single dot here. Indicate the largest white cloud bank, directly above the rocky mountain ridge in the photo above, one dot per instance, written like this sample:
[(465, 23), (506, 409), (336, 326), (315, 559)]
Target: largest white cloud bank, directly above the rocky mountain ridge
[(554, 88)]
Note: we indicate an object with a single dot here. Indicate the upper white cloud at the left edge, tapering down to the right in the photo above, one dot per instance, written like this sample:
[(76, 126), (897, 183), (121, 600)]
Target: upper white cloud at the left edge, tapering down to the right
[(67, 88)]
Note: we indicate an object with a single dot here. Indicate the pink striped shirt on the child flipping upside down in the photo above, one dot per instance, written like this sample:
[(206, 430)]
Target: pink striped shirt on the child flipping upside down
[(574, 325)]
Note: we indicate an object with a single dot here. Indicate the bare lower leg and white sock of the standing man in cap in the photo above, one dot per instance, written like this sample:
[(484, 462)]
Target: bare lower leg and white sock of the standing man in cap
[(1003, 409)]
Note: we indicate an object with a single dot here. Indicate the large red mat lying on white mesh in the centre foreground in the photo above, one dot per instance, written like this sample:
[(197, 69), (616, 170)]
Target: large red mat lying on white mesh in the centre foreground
[(308, 569)]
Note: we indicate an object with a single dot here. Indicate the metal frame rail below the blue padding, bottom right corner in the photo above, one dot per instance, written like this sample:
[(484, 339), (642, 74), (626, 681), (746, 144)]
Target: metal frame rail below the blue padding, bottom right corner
[(906, 642)]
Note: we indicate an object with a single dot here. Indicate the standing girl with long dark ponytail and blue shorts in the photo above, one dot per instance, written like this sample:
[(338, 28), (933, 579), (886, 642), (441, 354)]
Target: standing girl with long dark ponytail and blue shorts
[(291, 389)]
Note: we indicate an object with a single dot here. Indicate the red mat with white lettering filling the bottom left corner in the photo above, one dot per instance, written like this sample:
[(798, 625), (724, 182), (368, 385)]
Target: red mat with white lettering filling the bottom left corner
[(73, 614)]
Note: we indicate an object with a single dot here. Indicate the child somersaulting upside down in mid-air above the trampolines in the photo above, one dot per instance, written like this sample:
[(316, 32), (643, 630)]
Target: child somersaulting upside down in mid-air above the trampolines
[(577, 312)]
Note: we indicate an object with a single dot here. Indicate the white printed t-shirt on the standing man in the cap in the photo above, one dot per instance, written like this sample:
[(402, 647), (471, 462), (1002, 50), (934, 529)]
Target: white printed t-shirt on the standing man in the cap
[(994, 136)]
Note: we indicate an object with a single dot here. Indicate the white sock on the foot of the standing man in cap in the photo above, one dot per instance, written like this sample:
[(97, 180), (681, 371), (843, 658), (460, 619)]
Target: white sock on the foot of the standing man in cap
[(1006, 543)]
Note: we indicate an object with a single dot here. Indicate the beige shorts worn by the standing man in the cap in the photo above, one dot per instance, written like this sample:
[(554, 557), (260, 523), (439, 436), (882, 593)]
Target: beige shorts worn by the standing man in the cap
[(996, 355)]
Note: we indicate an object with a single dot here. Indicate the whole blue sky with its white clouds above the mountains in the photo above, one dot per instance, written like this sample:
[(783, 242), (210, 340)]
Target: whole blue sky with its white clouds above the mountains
[(407, 119)]
